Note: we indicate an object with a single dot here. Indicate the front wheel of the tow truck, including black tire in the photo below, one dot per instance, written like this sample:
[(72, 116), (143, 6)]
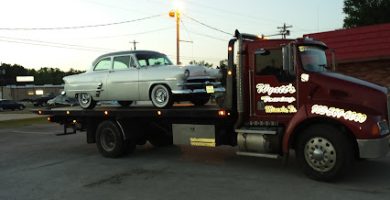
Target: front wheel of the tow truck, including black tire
[(324, 152)]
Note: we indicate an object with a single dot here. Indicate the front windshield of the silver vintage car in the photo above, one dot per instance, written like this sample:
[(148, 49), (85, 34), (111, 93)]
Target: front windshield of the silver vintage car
[(152, 59)]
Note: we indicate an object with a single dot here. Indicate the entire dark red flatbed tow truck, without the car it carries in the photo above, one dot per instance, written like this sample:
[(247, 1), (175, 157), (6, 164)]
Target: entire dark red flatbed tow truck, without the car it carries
[(280, 96)]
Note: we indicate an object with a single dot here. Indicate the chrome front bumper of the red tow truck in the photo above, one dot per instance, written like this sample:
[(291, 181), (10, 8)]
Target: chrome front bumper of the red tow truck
[(374, 148)]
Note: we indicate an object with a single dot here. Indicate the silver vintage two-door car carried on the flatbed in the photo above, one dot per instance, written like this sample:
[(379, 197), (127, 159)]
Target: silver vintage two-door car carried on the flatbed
[(129, 76)]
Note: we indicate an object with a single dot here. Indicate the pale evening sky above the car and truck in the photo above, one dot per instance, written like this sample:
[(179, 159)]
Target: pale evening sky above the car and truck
[(77, 48)]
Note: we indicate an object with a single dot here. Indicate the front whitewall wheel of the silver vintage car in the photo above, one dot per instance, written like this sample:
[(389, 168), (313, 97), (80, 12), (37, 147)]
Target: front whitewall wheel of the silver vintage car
[(161, 96)]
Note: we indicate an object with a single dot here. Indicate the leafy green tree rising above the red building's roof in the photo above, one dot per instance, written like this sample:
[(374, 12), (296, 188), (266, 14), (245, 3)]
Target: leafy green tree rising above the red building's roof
[(366, 12)]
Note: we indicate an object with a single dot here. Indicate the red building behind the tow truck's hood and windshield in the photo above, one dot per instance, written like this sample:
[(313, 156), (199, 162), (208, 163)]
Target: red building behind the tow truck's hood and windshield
[(362, 52)]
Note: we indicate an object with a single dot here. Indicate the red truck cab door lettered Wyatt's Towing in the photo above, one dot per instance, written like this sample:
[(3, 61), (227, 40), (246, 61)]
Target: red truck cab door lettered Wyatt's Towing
[(273, 88)]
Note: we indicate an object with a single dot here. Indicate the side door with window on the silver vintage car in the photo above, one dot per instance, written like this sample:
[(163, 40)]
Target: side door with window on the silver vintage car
[(122, 80)]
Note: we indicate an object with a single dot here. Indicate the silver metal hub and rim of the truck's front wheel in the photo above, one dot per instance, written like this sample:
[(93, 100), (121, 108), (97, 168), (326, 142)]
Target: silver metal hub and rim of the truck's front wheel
[(320, 154)]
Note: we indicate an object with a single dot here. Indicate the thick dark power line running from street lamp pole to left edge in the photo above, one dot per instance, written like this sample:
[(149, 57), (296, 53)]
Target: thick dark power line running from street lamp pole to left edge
[(76, 27)]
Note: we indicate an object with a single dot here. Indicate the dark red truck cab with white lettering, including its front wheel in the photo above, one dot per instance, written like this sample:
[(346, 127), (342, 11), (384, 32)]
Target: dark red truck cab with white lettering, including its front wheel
[(288, 98)]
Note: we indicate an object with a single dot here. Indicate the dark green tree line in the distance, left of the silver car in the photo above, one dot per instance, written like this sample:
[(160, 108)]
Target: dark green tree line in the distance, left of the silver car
[(42, 76)]
